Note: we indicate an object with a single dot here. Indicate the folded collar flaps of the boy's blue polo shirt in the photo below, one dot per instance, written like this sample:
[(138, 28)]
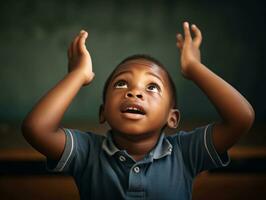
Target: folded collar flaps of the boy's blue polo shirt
[(162, 148)]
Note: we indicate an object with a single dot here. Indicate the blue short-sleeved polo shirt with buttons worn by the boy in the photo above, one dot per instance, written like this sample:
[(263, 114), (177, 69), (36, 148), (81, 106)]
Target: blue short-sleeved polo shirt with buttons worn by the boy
[(102, 171)]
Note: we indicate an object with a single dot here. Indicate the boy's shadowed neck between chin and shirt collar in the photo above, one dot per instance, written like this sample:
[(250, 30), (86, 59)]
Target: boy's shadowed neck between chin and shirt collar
[(136, 146)]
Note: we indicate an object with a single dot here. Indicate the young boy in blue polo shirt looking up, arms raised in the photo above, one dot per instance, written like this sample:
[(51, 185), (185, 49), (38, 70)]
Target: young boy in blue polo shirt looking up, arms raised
[(136, 160)]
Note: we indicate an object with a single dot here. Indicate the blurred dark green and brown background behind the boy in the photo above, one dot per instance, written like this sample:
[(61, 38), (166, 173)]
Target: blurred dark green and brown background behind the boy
[(34, 38)]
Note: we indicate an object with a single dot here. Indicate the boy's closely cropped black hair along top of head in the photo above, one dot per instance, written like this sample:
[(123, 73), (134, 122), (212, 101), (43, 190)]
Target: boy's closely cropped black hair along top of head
[(151, 59)]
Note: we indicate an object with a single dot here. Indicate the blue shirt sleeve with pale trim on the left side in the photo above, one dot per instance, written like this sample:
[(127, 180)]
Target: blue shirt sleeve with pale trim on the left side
[(75, 154)]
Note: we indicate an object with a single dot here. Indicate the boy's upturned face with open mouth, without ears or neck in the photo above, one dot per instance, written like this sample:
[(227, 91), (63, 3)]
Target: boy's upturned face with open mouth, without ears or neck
[(138, 98)]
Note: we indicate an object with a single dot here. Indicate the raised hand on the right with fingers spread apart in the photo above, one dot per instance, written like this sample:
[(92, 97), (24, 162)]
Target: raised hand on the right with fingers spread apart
[(189, 49)]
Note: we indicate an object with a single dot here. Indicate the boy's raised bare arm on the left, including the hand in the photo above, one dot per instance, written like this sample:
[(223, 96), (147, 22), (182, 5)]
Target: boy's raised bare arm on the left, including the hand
[(41, 127)]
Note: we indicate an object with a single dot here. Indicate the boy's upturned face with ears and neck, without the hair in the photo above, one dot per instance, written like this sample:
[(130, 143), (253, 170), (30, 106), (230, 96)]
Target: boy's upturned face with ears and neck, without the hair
[(142, 85)]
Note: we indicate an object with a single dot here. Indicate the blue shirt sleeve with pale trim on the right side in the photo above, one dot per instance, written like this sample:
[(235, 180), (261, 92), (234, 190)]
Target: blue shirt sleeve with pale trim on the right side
[(198, 151)]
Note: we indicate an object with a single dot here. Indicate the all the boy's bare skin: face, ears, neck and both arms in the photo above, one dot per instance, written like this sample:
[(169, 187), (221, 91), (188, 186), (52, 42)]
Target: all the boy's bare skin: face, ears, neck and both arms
[(138, 133)]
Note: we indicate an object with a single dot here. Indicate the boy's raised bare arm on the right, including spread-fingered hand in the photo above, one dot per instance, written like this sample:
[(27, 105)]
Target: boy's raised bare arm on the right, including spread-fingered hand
[(237, 115)]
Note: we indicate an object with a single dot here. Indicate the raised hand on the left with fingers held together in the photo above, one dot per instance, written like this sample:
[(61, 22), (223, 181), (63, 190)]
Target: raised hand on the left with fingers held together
[(79, 58)]
